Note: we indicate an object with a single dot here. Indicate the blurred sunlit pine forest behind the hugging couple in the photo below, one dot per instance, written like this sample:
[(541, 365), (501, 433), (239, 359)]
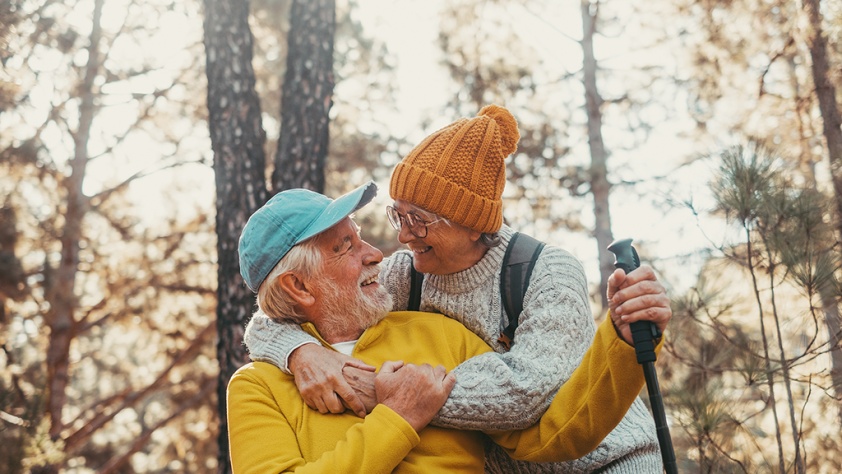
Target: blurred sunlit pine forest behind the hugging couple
[(137, 136)]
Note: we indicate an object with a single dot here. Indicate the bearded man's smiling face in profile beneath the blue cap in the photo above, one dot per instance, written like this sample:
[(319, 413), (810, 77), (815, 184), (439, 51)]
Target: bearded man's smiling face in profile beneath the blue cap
[(347, 288)]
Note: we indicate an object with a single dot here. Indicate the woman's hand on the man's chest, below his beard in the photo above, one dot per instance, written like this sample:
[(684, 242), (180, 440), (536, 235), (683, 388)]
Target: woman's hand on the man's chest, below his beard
[(318, 376)]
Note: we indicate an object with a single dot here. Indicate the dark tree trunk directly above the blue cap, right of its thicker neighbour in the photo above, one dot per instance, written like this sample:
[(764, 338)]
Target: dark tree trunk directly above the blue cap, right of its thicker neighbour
[(307, 97)]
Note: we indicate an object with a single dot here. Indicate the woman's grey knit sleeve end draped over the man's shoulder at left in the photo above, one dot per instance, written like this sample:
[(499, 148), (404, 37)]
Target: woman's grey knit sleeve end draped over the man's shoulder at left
[(273, 342)]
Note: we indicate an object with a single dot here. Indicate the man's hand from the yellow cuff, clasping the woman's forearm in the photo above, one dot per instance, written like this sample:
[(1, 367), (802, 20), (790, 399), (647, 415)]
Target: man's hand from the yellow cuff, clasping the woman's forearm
[(415, 392)]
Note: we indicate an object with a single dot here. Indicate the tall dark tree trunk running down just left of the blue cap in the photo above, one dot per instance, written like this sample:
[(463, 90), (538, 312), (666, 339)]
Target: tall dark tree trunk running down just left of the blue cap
[(237, 140)]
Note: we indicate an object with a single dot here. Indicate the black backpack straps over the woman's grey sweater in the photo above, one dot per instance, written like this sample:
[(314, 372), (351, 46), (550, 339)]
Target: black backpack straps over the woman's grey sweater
[(518, 263)]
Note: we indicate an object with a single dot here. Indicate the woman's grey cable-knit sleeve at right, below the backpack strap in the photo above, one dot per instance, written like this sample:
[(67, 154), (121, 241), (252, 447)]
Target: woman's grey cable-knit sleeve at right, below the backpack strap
[(510, 390)]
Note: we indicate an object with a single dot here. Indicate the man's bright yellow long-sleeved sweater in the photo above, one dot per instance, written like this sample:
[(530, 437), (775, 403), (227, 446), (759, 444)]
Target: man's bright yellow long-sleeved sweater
[(272, 430)]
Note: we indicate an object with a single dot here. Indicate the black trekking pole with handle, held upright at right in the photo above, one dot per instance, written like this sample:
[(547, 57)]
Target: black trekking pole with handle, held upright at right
[(644, 334)]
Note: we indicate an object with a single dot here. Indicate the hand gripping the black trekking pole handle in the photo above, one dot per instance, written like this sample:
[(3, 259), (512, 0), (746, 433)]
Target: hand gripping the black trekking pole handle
[(637, 296)]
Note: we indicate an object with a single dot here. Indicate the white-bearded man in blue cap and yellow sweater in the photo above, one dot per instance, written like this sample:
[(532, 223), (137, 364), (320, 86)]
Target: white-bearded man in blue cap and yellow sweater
[(303, 255)]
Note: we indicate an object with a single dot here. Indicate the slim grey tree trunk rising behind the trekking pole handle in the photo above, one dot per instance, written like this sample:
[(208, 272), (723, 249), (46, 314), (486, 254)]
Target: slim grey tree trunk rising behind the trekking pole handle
[(600, 187)]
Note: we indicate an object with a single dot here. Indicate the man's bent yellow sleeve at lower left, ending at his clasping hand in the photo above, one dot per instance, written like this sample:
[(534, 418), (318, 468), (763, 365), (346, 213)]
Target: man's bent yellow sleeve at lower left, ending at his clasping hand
[(262, 439)]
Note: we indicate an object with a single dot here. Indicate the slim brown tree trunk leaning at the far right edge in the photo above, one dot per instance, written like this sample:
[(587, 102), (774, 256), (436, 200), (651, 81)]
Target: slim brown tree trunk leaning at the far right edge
[(832, 127)]
